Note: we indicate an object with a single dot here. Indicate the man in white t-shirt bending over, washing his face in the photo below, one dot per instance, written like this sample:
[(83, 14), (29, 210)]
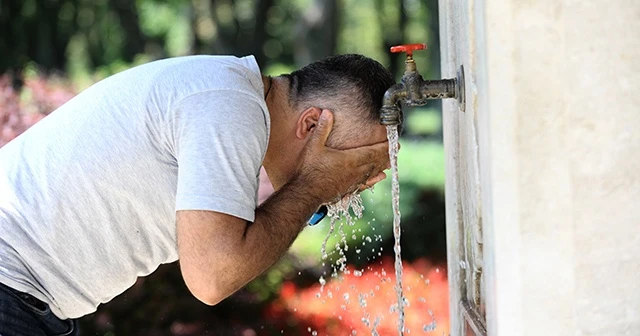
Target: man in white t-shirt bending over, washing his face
[(161, 162)]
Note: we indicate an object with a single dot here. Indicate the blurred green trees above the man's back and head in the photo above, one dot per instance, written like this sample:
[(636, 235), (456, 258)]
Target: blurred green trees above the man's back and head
[(85, 36)]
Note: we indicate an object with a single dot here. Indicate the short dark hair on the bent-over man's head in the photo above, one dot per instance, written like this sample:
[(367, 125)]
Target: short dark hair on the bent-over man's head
[(349, 81)]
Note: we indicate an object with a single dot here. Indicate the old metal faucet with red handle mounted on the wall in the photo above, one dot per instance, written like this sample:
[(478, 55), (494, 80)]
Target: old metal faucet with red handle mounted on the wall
[(413, 90)]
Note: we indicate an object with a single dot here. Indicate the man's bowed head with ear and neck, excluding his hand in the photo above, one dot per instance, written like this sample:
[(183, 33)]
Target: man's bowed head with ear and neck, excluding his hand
[(350, 86)]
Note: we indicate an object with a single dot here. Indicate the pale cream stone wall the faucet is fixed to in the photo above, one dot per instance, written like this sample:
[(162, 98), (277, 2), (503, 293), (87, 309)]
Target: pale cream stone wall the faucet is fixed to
[(543, 169)]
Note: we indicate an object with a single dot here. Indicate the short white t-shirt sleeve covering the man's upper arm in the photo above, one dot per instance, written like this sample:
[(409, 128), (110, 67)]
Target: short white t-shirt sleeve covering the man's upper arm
[(220, 138)]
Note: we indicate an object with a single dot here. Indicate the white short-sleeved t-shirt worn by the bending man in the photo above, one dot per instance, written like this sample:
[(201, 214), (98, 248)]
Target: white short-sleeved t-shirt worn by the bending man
[(88, 195)]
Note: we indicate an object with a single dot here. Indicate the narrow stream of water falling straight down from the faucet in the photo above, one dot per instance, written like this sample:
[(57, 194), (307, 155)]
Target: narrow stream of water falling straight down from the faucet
[(392, 136)]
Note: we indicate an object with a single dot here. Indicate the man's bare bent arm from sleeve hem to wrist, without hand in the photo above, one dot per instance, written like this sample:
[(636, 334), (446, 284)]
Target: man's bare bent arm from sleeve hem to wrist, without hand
[(219, 253)]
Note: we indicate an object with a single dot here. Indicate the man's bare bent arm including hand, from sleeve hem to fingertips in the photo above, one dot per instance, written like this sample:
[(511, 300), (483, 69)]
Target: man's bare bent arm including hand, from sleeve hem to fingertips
[(219, 253)]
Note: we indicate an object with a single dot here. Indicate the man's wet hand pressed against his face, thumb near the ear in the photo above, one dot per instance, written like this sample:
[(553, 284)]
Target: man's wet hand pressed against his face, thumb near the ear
[(332, 173)]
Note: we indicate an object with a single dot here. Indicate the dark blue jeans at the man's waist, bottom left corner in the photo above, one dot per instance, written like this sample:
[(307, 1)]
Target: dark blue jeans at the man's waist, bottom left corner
[(23, 315)]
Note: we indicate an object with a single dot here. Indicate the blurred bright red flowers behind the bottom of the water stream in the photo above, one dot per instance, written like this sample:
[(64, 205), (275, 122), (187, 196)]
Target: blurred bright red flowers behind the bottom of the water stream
[(363, 300)]
